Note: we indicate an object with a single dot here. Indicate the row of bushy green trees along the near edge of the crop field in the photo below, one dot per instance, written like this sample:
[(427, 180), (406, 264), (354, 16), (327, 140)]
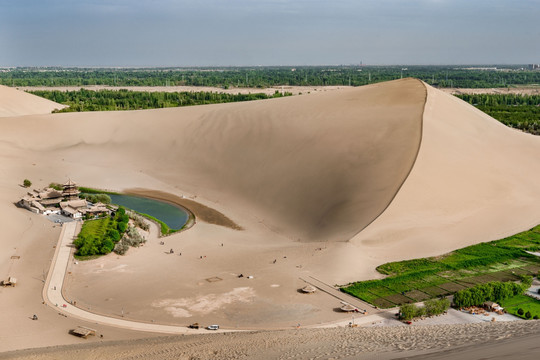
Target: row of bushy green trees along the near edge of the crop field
[(492, 291)]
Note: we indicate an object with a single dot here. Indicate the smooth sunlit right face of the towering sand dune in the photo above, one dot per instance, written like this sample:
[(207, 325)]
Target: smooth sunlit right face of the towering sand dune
[(474, 180)]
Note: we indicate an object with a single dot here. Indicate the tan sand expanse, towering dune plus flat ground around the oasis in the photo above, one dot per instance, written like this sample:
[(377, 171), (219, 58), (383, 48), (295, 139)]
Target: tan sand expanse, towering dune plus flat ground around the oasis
[(324, 188)]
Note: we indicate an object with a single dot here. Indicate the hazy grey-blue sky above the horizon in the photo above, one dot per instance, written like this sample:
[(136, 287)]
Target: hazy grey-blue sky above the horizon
[(268, 32)]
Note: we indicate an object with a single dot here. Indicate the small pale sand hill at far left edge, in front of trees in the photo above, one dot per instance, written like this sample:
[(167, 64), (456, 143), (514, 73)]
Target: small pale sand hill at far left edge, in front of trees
[(14, 102)]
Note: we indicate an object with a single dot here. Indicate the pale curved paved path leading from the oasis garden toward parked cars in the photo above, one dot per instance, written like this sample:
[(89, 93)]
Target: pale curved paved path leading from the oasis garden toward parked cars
[(52, 292)]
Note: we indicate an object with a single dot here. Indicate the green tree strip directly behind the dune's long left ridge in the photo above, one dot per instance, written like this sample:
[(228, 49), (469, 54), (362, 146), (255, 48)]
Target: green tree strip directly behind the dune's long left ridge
[(106, 100)]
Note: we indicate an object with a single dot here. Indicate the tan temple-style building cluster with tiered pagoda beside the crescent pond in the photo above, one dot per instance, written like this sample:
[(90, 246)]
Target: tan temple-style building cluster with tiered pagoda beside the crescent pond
[(65, 202)]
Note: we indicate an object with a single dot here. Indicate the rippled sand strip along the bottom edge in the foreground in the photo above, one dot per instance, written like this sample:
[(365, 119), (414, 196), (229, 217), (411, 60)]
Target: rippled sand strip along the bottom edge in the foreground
[(516, 340)]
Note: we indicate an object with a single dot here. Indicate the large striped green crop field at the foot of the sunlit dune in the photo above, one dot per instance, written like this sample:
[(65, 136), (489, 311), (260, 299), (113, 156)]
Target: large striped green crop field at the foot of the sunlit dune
[(500, 260)]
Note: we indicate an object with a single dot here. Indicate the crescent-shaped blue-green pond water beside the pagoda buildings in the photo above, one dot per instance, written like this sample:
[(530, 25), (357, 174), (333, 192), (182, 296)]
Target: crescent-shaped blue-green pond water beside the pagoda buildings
[(173, 216)]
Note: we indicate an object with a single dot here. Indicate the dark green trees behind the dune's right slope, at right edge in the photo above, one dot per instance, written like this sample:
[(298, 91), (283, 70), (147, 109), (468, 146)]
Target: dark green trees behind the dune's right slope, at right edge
[(517, 111)]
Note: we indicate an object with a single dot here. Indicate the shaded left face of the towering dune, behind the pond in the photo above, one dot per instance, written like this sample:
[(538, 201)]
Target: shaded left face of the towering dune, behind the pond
[(315, 168)]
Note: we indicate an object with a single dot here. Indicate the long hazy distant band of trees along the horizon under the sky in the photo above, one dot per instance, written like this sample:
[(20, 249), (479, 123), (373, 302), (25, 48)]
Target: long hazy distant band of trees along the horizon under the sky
[(262, 77)]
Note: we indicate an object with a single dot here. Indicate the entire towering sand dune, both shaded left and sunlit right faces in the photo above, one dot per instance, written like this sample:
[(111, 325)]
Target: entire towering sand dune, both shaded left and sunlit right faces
[(318, 167)]
